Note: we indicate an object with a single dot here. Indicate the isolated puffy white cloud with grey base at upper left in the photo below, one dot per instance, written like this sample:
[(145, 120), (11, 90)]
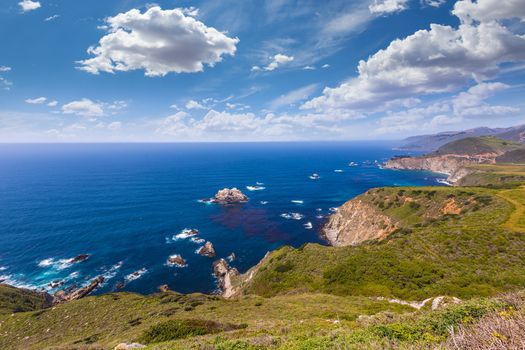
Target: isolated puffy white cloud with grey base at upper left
[(159, 42)]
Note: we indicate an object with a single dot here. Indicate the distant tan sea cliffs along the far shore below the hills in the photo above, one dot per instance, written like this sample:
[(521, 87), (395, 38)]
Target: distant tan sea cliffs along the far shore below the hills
[(455, 166)]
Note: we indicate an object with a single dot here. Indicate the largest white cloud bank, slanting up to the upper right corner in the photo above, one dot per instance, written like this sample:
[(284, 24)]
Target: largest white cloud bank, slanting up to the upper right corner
[(441, 59)]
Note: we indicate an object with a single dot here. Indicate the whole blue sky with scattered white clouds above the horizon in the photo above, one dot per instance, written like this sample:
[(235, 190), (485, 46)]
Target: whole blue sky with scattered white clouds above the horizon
[(257, 70)]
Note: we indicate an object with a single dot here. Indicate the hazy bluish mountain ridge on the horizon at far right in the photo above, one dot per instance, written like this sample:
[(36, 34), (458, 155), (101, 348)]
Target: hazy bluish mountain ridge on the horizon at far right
[(431, 142)]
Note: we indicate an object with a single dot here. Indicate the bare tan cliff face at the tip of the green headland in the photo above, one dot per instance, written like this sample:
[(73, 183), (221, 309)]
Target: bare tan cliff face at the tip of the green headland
[(358, 221)]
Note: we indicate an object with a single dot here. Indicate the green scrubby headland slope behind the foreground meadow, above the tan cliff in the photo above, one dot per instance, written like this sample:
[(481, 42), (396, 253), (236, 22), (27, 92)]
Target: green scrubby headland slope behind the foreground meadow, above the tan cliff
[(467, 255)]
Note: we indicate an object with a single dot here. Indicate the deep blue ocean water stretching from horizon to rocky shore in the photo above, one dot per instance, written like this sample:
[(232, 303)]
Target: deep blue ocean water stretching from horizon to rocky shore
[(123, 203)]
